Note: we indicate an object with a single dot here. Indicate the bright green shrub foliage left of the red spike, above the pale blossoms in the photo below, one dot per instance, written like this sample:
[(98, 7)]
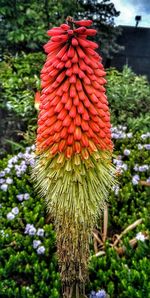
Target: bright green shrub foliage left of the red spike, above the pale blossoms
[(19, 79)]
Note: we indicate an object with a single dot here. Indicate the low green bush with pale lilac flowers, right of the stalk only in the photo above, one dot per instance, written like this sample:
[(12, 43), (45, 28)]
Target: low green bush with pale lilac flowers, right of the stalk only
[(127, 276)]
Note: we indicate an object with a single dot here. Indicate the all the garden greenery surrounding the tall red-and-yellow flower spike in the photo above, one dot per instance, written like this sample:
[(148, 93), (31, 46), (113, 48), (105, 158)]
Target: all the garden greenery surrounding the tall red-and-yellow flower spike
[(118, 264)]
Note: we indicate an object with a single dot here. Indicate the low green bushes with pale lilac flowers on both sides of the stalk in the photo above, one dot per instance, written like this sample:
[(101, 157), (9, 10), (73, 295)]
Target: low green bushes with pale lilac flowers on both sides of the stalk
[(29, 268)]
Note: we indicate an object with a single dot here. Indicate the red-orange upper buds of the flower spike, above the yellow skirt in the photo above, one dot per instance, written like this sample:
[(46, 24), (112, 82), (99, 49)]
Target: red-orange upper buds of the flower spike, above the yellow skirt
[(74, 116)]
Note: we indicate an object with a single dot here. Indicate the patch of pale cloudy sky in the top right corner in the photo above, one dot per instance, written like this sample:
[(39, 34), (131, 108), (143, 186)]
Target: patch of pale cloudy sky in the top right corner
[(129, 9)]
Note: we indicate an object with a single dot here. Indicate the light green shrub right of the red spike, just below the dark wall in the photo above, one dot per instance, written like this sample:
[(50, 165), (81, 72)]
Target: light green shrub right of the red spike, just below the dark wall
[(129, 98)]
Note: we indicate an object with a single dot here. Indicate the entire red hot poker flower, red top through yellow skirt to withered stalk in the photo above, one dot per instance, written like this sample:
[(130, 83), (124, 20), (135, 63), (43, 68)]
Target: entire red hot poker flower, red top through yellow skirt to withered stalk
[(74, 147)]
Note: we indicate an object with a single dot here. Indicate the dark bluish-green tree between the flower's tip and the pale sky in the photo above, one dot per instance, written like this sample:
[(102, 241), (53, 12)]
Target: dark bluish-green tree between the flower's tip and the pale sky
[(102, 13)]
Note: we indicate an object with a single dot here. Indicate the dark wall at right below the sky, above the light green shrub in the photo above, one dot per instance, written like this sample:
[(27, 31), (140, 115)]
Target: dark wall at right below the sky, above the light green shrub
[(136, 53)]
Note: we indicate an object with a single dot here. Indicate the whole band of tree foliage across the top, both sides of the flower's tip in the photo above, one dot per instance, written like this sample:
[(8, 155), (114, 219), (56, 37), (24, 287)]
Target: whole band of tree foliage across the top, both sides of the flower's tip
[(24, 23)]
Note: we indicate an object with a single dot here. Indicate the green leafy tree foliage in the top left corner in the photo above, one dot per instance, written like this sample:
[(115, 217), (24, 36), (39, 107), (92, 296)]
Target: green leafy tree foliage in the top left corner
[(24, 23)]
